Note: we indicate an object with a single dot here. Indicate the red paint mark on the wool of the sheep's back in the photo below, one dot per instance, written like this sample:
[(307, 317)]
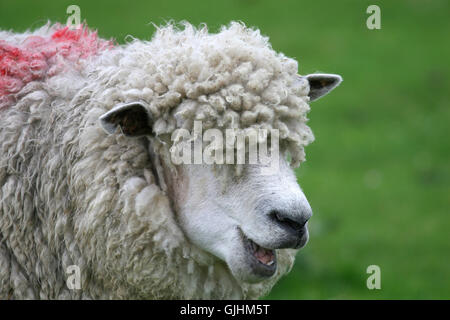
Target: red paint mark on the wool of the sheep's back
[(37, 57)]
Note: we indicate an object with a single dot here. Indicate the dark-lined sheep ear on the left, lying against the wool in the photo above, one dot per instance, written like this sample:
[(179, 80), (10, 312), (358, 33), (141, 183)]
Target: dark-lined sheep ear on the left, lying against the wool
[(132, 118)]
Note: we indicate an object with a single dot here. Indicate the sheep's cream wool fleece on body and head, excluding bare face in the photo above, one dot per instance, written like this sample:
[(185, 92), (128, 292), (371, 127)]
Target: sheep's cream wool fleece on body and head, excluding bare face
[(72, 195)]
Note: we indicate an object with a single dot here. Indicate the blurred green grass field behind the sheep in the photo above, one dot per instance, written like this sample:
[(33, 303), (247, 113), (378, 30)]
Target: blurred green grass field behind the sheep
[(378, 174)]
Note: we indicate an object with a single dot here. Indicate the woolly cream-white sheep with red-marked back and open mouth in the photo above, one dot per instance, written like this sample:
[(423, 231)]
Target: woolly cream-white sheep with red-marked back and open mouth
[(87, 130)]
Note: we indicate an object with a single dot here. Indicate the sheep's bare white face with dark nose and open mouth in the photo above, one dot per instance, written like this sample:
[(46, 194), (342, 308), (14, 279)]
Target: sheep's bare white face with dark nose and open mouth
[(247, 221)]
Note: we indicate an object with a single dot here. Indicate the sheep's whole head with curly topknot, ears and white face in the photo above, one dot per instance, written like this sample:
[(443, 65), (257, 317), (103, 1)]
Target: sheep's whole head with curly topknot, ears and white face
[(253, 223)]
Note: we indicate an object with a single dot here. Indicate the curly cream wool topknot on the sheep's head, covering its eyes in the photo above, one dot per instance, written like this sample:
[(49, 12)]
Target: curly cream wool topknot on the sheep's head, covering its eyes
[(229, 80)]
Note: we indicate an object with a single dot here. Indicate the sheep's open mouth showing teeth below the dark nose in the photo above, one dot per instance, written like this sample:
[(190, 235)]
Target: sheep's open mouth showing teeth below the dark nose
[(262, 261)]
